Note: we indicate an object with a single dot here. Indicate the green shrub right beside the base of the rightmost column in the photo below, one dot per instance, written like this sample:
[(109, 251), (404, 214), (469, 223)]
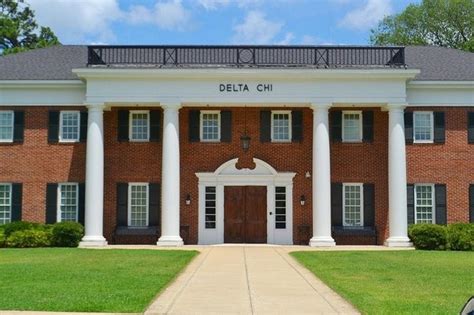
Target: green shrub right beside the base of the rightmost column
[(428, 236)]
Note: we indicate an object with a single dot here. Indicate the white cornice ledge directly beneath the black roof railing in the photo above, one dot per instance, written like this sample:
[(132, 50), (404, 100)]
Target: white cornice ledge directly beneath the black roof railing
[(284, 74)]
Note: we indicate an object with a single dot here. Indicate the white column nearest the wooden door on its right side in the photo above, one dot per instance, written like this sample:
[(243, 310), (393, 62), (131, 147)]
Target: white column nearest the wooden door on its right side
[(321, 179)]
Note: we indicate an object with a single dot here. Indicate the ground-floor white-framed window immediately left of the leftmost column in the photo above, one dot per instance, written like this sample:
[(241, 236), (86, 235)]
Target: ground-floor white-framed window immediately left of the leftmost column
[(68, 203)]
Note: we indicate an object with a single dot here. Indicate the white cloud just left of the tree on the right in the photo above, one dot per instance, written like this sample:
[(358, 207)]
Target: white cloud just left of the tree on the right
[(368, 15)]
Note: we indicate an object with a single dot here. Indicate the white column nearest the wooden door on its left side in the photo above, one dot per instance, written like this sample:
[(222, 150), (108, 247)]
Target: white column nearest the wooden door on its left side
[(170, 192)]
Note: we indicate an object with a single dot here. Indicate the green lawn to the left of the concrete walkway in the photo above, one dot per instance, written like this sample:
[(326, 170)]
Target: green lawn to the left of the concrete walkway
[(59, 279)]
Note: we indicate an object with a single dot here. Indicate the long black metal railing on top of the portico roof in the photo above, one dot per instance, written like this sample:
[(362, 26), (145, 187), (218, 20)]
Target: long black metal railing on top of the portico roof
[(246, 56)]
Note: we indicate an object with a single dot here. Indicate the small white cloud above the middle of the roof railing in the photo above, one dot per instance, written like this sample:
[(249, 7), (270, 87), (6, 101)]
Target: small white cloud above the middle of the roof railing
[(256, 29)]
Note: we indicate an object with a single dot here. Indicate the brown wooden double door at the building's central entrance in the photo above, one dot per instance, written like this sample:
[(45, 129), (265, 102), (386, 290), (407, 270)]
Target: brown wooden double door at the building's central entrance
[(245, 214)]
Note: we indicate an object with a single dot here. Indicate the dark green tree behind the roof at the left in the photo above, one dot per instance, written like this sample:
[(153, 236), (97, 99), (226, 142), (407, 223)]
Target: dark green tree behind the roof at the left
[(19, 30)]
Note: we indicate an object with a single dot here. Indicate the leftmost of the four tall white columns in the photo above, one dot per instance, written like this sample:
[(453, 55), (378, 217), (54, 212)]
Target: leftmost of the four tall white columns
[(94, 212)]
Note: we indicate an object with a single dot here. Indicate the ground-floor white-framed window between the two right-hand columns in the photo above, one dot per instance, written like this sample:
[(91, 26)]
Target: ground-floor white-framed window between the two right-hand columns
[(353, 205)]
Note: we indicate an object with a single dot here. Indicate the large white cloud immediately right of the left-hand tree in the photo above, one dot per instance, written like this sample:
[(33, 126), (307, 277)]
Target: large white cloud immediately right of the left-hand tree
[(77, 21)]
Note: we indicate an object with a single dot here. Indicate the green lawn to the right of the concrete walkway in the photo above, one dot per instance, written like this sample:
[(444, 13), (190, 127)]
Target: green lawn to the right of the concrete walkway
[(396, 282)]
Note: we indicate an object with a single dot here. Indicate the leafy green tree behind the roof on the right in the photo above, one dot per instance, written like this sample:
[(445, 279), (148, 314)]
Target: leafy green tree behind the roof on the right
[(446, 23)]
